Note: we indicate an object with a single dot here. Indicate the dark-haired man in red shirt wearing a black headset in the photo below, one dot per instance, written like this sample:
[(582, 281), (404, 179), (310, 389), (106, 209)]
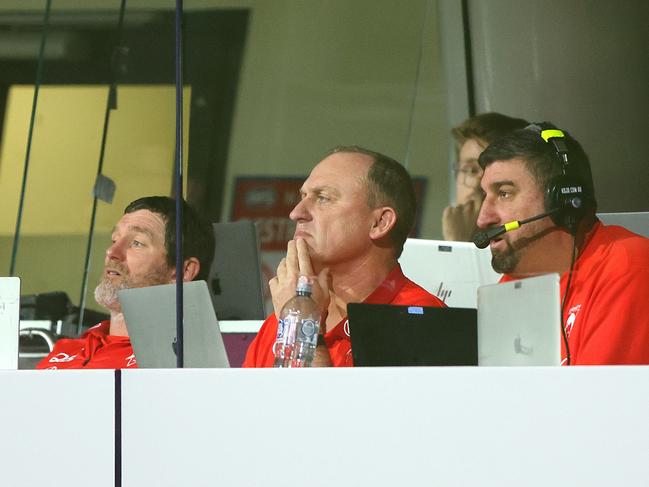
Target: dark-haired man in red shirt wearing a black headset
[(542, 174)]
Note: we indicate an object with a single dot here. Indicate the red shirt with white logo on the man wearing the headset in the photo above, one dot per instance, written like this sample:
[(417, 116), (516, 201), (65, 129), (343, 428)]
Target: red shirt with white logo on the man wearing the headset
[(607, 312)]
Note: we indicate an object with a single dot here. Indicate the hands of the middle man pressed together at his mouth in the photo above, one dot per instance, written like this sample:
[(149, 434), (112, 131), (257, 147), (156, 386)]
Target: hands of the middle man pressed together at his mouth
[(298, 263)]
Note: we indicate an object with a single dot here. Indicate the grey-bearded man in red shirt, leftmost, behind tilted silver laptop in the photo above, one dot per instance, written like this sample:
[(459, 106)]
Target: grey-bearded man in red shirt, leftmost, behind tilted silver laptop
[(142, 253)]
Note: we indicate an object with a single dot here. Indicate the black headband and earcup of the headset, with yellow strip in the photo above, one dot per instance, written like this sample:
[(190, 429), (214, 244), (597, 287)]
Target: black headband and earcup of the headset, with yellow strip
[(567, 195)]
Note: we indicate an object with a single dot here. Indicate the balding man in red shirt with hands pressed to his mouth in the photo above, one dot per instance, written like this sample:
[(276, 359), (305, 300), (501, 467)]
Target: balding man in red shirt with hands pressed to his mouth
[(356, 210)]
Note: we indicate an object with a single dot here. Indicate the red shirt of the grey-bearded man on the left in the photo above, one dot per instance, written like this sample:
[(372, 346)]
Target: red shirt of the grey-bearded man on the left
[(96, 349)]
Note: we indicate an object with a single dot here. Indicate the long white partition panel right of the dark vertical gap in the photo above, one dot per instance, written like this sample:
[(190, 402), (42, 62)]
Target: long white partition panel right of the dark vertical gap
[(386, 427)]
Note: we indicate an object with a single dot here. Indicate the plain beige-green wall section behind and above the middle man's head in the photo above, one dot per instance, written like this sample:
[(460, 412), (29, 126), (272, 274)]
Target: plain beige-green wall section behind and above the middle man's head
[(320, 74)]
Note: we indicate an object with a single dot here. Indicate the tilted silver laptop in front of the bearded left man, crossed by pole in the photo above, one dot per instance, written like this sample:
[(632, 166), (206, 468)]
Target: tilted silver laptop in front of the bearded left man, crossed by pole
[(150, 314)]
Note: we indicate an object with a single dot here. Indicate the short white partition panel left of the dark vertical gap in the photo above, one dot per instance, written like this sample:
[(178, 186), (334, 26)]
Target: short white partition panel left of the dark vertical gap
[(57, 428)]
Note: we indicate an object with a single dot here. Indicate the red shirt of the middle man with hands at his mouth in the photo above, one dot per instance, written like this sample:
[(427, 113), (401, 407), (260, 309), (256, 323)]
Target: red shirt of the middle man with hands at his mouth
[(396, 289)]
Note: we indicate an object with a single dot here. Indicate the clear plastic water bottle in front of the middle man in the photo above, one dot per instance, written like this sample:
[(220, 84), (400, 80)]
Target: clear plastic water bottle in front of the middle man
[(297, 330)]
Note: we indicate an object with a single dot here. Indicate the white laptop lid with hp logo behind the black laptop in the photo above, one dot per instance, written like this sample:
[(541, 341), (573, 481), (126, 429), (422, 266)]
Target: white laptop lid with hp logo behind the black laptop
[(452, 271)]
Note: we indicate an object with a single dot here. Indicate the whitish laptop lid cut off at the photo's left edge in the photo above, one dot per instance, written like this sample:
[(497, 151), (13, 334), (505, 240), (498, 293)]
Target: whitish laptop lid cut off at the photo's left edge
[(9, 322)]
